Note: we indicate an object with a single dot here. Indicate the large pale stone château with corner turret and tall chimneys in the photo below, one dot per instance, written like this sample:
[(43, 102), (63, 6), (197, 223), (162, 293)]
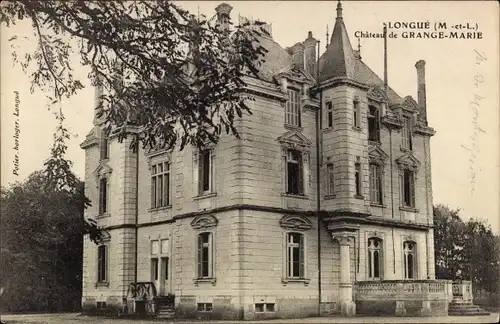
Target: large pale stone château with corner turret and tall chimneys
[(322, 206)]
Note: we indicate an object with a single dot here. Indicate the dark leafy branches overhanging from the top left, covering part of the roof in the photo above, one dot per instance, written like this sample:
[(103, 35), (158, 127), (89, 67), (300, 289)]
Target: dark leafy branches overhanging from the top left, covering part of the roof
[(175, 76)]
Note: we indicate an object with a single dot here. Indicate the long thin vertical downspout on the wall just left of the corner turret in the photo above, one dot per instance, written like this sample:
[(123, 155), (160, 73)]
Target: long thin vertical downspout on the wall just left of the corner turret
[(318, 182)]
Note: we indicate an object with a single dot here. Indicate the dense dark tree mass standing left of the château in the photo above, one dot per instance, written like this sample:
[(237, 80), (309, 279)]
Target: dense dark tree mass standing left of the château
[(41, 246)]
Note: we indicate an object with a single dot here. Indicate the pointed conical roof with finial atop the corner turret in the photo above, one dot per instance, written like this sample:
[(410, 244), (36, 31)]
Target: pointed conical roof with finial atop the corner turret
[(339, 59)]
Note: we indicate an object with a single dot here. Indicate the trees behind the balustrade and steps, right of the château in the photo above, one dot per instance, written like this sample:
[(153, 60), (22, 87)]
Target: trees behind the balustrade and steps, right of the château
[(466, 250)]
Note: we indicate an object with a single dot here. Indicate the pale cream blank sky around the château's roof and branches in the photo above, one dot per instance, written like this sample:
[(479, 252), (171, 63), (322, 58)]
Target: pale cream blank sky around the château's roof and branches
[(462, 88)]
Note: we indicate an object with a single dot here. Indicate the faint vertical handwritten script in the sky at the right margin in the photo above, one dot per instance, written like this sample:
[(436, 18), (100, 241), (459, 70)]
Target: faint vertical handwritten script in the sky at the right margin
[(475, 105)]
